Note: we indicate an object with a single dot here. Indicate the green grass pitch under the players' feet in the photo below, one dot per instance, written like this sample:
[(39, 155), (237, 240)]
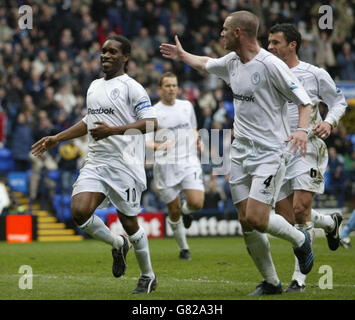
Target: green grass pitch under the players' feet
[(220, 269)]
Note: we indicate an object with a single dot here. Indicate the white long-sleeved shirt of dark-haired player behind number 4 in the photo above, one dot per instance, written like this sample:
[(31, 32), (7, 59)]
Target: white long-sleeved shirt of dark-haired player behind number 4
[(320, 87)]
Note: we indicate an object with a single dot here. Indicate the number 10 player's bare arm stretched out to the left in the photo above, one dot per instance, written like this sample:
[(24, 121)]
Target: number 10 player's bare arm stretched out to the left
[(49, 142)]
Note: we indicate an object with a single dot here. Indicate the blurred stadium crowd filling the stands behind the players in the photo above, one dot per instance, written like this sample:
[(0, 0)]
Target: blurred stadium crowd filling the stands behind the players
[(45, 73)]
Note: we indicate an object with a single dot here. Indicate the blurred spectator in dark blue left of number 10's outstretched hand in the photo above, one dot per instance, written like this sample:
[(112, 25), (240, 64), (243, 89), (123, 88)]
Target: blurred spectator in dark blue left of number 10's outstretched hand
[(22, 141)]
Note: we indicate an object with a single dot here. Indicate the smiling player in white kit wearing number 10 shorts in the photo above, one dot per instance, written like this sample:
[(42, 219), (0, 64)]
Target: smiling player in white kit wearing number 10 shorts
[(118, 112)]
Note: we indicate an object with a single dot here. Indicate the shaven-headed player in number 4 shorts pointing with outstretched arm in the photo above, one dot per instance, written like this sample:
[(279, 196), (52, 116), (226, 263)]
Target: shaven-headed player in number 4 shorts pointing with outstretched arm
[(261, 84)]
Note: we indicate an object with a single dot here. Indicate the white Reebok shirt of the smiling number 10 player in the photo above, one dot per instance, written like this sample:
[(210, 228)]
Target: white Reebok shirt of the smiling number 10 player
[(118, 101)]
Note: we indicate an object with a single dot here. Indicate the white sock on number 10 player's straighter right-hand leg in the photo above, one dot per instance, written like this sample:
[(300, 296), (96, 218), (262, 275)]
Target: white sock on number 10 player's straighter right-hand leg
[(139, 241)]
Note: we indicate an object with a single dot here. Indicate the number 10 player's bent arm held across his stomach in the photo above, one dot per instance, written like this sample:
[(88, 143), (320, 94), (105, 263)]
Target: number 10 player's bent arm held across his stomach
[(103, 130)]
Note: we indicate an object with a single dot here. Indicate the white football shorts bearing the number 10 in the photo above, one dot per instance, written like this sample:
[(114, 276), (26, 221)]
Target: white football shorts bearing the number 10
[(119, 187)]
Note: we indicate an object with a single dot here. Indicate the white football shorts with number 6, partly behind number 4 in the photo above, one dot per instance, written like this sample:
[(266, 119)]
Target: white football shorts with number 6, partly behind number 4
[(306, 173)]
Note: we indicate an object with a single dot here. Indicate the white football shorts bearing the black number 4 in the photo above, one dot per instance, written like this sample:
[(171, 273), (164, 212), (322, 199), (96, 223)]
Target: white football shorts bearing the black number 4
[(257, 171)]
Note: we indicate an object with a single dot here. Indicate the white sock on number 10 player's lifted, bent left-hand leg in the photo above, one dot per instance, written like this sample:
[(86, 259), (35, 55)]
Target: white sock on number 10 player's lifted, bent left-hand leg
[(96, 228)]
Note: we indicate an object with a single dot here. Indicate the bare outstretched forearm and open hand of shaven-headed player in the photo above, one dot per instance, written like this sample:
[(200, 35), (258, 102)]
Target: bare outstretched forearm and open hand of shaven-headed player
[(177, 53)]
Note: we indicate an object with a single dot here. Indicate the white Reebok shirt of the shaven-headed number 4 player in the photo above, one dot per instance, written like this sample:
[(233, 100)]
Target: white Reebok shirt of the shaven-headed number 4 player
[(261, 89)]
